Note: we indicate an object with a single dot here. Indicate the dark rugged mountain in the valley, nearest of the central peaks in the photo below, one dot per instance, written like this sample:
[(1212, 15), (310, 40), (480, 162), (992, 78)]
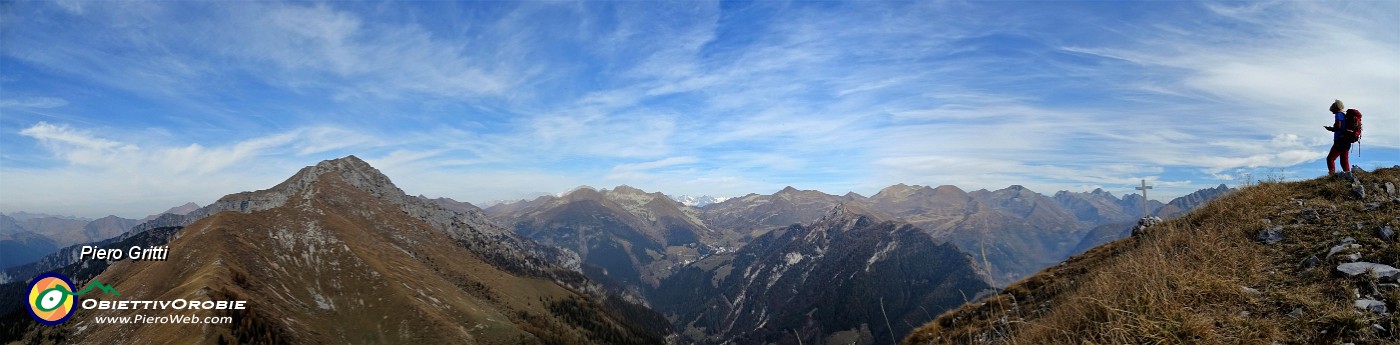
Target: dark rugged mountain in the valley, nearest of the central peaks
[(829, 283)]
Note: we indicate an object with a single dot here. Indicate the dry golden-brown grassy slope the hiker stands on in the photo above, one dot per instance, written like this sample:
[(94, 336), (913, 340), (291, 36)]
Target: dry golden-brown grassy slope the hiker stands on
[(1184, 281)]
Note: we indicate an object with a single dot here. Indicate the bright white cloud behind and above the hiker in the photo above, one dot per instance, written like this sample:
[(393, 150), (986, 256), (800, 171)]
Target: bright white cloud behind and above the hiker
[(1276, 67)]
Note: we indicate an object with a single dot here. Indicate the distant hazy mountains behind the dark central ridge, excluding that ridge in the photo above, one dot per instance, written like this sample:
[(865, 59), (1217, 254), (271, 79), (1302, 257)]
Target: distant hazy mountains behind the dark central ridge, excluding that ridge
[(1014, 232)]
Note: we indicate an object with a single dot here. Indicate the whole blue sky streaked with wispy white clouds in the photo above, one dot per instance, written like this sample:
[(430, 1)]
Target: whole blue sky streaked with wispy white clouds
[(131, 107)]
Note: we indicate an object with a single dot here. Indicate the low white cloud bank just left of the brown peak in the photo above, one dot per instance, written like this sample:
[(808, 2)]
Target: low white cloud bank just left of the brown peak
[(141, 179)]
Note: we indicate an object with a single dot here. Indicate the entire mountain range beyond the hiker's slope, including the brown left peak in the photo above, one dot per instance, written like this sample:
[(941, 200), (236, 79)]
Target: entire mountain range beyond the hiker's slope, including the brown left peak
[(338, 243)]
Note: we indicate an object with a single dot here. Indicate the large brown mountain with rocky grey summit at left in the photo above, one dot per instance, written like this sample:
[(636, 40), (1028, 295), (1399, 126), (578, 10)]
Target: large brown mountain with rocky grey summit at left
[(341, 263)]
